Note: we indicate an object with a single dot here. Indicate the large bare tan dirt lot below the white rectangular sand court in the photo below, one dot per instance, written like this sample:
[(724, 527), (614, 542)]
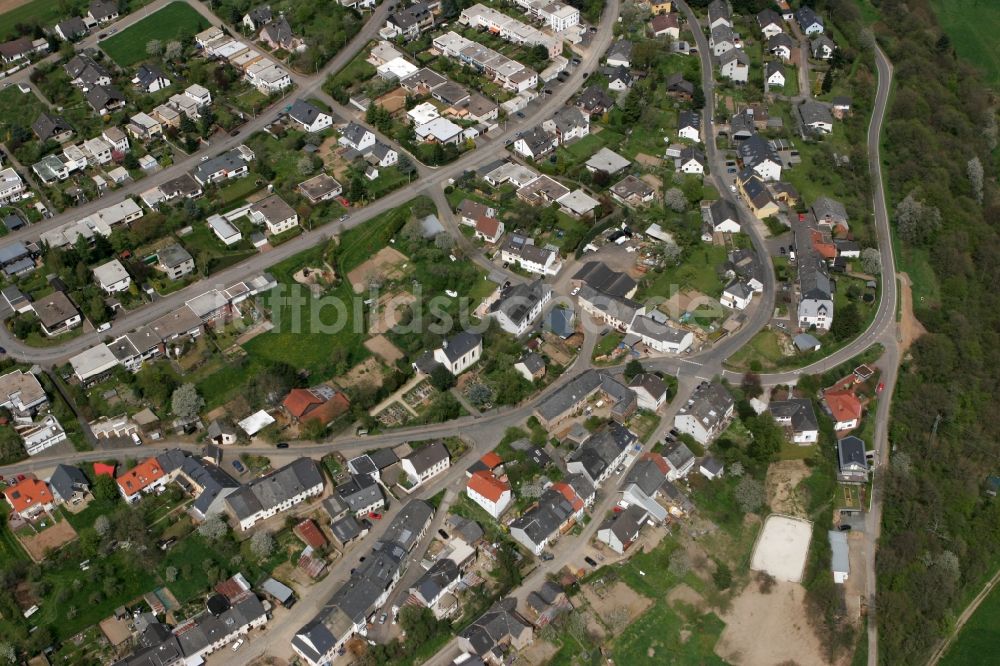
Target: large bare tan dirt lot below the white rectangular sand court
[(767, 629)]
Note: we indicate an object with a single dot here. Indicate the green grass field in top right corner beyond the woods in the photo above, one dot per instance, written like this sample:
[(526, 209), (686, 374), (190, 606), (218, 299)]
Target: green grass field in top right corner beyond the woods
[(972, 26)]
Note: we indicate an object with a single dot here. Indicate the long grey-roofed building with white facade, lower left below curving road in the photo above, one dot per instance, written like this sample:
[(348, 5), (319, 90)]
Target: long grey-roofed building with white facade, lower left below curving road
[(275, 492)]
